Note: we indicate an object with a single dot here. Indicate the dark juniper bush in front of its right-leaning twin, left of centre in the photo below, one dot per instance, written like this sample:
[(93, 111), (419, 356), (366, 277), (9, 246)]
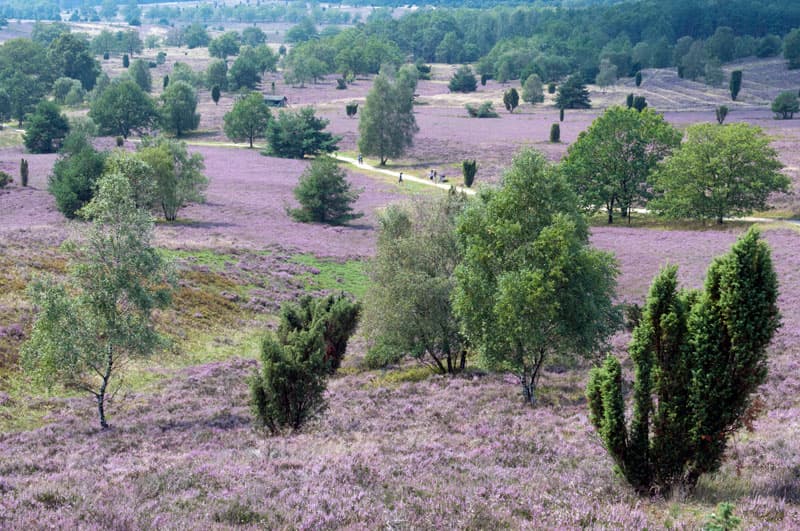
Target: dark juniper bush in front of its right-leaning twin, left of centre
[(290, 389)]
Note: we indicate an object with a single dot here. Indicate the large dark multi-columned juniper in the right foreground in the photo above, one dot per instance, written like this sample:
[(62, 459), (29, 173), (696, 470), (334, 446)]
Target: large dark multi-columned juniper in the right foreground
[(698, 358)]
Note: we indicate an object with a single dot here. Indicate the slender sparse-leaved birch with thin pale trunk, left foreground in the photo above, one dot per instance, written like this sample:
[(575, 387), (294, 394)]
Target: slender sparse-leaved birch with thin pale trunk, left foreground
[(90, 326)]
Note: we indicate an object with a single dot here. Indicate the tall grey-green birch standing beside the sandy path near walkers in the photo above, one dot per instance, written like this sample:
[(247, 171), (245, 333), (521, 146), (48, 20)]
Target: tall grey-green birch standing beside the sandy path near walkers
[(387, 125)]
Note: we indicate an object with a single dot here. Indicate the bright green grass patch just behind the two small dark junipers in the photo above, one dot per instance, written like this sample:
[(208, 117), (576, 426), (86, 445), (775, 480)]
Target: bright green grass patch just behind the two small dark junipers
[(350, 276)]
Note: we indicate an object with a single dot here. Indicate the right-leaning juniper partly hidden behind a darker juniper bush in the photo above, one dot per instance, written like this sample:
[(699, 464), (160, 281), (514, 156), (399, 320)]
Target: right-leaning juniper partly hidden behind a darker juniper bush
[(335, 316)]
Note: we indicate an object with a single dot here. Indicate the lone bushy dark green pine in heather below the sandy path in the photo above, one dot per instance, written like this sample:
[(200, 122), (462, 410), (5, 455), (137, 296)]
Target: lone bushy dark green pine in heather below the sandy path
[(324, 194)]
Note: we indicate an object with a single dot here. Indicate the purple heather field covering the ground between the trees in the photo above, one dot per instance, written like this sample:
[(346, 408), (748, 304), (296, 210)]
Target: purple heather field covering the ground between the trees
[(398, 448)]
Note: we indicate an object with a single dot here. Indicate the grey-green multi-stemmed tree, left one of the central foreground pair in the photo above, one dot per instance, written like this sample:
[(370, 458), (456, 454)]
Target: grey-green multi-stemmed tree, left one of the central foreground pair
[(408, 309)]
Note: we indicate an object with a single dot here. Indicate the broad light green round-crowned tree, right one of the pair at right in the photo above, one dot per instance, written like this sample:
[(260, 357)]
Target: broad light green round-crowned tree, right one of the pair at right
[(719, 171)]
